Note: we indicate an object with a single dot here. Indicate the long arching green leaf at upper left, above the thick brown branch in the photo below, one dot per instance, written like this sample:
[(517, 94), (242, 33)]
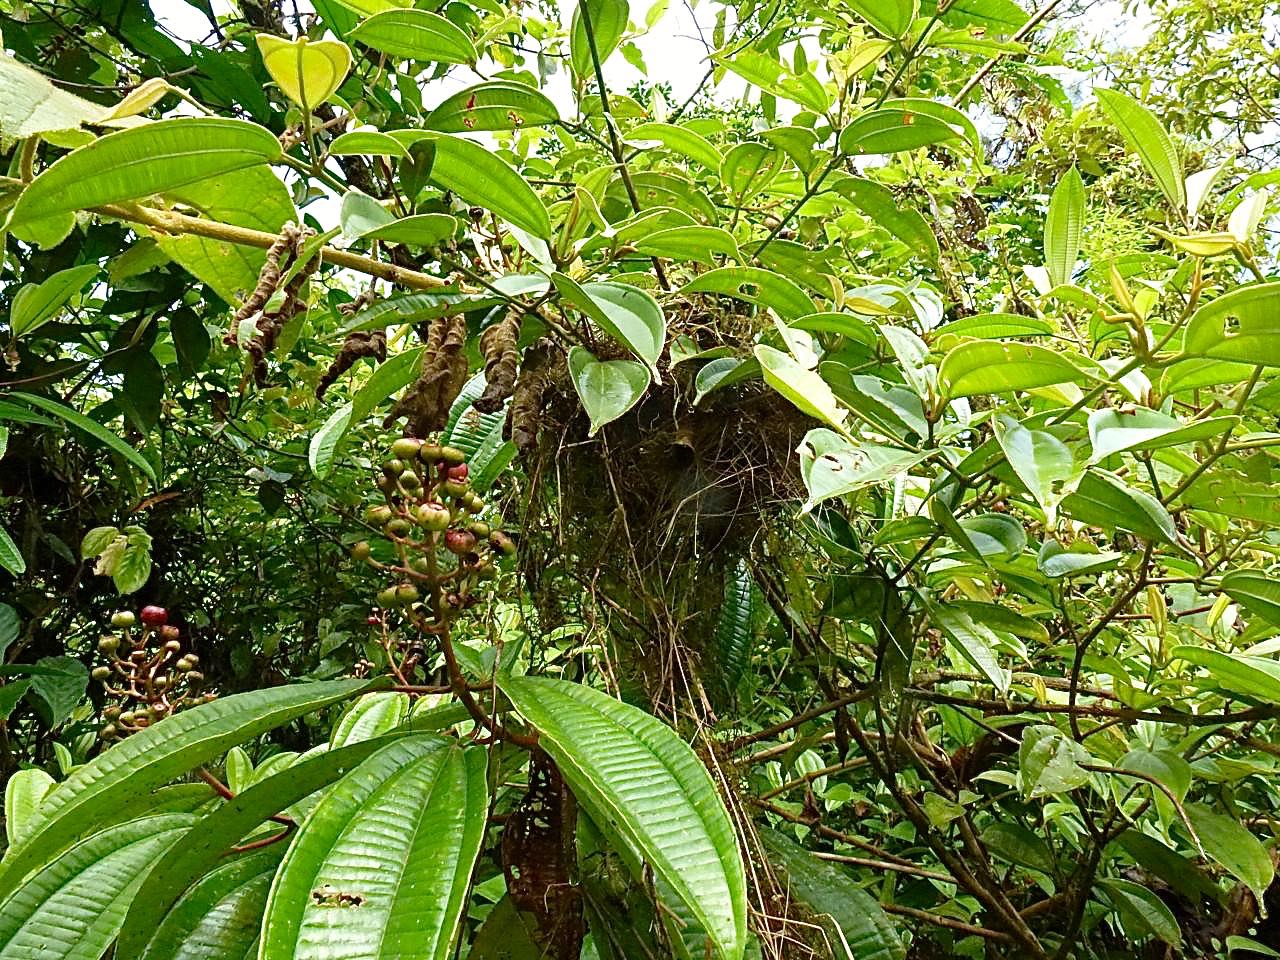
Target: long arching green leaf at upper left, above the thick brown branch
[(136, 163)]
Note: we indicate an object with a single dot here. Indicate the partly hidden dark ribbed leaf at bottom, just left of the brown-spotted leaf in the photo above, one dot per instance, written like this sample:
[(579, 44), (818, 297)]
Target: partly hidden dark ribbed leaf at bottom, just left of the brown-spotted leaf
[(221, 917)]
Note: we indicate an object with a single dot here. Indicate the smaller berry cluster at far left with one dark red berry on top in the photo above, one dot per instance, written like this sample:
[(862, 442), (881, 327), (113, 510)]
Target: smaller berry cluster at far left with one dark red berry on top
[(147, 673)]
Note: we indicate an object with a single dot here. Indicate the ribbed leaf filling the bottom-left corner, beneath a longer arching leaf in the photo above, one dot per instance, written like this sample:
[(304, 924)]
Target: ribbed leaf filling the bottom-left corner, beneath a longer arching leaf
[(74, 907)]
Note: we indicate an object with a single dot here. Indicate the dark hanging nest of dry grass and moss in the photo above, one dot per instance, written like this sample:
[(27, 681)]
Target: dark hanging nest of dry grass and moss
[(643, 519)]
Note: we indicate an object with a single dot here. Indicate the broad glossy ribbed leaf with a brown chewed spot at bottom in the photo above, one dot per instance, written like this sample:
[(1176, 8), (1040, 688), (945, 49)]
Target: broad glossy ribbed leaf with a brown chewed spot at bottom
[(383, 865)]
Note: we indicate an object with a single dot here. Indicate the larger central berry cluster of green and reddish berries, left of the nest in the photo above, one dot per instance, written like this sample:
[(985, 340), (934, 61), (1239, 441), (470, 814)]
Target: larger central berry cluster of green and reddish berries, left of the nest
[(431, 519)]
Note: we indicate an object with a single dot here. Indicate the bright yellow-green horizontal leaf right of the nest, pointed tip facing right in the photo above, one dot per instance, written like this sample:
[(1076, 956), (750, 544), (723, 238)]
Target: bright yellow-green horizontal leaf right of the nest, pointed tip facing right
[(982, 368)]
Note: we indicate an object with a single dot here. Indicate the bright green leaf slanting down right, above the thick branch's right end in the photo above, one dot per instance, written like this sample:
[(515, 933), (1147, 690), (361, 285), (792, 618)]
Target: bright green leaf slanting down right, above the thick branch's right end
[(483, 179)]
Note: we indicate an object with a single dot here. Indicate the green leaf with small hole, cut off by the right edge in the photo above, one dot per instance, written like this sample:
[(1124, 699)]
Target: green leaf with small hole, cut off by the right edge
[(1244, 326)]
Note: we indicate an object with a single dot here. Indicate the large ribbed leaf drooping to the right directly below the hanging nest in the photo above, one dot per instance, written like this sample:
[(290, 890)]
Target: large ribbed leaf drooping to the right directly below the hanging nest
[(637, 779)]
